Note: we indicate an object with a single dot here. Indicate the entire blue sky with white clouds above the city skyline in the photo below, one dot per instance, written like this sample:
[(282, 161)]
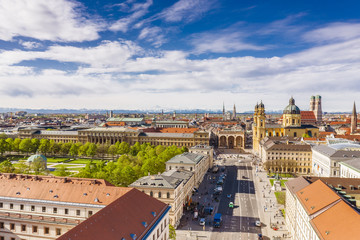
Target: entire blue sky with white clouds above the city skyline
[(179, 54)]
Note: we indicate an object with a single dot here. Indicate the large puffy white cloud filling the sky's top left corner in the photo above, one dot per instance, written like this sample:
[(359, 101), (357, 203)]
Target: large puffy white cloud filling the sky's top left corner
[(54, 20)]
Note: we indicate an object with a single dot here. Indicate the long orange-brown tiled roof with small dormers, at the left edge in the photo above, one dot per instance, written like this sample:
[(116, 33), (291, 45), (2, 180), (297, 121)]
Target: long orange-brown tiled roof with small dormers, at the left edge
[(60, 189)]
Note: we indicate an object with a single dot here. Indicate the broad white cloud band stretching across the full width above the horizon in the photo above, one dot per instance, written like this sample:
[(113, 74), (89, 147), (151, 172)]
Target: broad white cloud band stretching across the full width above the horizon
[(120, 70)]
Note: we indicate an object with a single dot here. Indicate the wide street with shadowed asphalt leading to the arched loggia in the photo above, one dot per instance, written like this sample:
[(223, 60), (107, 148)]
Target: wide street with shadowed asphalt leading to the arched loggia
[(238, 222)]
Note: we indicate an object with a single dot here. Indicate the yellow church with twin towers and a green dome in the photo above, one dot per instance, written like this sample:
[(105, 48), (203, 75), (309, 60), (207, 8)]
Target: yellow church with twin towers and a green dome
[(290, 127)]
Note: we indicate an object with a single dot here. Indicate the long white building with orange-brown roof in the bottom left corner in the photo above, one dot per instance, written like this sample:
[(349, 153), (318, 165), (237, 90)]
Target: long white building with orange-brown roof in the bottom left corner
[(46, 207)]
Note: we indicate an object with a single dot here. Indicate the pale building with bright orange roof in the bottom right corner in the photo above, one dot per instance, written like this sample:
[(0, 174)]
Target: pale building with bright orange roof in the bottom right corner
[(319, 211)]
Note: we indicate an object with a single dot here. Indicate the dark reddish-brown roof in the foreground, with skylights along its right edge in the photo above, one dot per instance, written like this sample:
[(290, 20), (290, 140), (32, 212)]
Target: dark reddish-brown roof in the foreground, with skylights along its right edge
[(121, 218)]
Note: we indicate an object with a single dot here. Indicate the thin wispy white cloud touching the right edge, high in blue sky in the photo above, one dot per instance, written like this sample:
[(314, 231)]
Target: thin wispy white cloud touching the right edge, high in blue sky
[(334, 32)]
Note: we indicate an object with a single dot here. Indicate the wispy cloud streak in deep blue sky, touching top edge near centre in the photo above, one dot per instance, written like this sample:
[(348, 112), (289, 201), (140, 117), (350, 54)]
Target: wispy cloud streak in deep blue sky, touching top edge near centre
[(186, 10)]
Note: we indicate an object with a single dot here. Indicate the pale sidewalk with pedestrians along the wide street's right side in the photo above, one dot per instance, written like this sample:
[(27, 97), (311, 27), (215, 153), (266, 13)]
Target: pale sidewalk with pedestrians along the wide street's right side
[(269, 209)]
